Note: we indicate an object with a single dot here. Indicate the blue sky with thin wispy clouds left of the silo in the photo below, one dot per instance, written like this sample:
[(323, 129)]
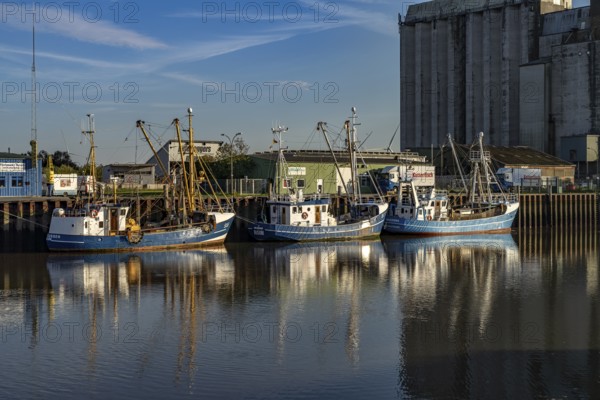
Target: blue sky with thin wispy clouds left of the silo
[(242, 66)]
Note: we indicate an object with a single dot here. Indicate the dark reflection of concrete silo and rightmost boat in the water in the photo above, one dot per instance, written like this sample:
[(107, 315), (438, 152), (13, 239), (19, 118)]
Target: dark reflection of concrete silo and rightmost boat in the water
[(479, 320)]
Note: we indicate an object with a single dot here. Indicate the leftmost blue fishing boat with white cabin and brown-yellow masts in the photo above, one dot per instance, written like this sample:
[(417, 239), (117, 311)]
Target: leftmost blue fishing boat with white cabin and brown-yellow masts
[(97, 225)]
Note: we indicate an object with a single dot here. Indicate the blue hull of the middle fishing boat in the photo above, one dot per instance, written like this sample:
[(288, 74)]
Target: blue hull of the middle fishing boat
[(262, 231)]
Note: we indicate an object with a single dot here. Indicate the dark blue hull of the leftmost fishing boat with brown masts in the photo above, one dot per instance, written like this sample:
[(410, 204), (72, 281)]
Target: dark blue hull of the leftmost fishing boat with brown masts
[(153, 240)]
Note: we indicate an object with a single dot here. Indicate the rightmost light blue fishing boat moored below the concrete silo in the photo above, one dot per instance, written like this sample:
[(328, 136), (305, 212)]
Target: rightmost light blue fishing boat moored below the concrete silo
[(420, 211)]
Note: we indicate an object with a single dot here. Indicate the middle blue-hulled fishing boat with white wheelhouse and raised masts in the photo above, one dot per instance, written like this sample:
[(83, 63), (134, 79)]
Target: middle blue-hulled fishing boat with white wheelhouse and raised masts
[(290, 215)]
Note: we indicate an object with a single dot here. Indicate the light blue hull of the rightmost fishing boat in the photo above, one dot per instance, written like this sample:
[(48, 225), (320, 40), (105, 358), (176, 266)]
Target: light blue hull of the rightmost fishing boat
[(496, 224)]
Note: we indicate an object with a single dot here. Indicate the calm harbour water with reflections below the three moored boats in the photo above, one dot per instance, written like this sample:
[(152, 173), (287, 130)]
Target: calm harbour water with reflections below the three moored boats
[(496, 316)]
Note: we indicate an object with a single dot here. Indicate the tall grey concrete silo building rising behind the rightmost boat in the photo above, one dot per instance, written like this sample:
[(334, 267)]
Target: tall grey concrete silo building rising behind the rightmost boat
[(525, 72)]
